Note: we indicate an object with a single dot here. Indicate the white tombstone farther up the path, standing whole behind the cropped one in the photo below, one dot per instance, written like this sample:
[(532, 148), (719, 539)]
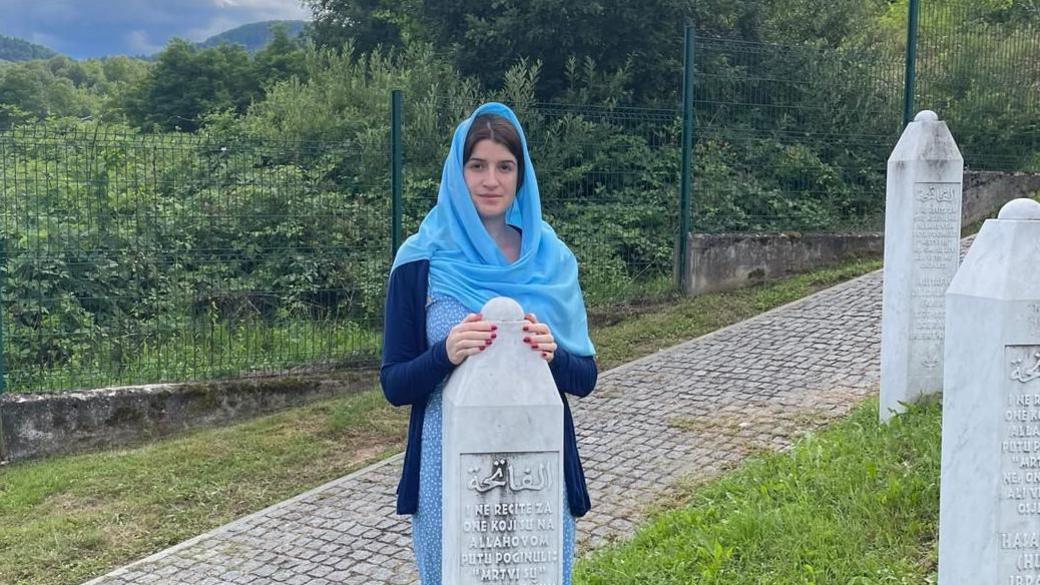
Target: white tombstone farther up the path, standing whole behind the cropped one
[(923, 230)]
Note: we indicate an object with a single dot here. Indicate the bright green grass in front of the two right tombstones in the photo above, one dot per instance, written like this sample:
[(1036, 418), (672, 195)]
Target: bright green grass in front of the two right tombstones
[(856, 504)]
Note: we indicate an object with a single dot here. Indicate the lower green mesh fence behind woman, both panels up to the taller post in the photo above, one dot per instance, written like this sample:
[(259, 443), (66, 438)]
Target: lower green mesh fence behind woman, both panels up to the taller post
[(136, 259)]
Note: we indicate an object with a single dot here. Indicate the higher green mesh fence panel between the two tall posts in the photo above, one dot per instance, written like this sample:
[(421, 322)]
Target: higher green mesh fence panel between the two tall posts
[(793, 139)]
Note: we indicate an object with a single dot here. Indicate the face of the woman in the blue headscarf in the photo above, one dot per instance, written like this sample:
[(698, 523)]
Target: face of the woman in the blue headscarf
[(491, 176)]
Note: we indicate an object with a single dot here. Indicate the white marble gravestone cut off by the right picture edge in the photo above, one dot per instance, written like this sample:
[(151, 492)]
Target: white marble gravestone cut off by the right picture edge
[(990, 510)]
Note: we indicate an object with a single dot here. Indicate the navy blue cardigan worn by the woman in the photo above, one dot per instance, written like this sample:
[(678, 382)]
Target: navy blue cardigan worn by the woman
[(412, 370)]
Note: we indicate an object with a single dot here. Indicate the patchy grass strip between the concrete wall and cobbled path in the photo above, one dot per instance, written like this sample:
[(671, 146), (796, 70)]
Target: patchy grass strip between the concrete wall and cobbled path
[(66, 520)]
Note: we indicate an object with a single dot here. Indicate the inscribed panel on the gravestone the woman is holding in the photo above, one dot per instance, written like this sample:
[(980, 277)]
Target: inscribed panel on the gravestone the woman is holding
[(511, 515)]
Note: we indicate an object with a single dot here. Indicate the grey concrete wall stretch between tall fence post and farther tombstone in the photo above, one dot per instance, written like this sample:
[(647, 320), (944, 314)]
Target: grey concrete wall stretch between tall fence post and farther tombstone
[(727, 262)]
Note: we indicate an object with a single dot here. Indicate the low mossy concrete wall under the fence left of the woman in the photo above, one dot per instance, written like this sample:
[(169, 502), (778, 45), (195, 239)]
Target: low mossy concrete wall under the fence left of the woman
[(40, 425)]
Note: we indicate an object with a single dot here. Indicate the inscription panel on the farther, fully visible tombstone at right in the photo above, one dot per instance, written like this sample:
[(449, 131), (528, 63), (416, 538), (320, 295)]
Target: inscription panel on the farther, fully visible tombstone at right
[(935, 249)]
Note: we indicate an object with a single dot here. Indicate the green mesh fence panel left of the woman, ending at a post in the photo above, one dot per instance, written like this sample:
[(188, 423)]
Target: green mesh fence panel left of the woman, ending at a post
[(135, 259)]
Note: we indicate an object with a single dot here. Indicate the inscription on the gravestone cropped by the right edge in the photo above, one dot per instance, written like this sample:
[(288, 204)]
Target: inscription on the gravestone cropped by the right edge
[(1019, 528)]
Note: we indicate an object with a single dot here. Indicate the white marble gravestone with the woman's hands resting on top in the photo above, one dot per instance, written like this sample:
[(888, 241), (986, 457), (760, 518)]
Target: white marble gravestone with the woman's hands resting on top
[(503, 464)]
